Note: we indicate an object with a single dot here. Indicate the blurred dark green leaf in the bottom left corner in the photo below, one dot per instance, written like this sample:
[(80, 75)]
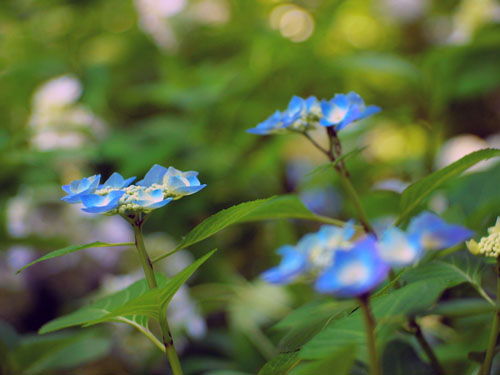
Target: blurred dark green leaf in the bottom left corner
[(40, 354)]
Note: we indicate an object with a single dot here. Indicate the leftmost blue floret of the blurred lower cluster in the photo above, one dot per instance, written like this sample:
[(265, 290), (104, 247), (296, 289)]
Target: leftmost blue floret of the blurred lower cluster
[(293, 264)]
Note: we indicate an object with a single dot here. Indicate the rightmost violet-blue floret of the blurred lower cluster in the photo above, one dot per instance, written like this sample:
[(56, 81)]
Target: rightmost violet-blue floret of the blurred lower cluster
[(434, 233)]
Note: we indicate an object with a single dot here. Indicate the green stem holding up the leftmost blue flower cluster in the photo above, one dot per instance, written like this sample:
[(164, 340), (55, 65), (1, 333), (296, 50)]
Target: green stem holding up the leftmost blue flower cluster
[(150, 277)]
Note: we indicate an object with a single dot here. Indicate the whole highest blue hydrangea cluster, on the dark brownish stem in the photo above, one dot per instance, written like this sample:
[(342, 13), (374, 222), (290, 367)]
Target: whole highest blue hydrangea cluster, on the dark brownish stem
[(304, 114)]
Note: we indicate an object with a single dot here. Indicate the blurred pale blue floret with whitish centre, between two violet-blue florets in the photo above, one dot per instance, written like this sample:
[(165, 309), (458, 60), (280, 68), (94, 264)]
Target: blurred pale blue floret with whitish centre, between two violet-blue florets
[(399, 249)]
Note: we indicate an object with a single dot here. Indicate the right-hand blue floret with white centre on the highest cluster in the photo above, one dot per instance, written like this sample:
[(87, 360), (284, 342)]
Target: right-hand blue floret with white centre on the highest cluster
[(344, 109)]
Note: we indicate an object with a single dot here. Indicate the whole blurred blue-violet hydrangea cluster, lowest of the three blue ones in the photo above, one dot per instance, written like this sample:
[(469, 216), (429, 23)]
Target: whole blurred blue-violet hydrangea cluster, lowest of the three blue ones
[(348, 267)]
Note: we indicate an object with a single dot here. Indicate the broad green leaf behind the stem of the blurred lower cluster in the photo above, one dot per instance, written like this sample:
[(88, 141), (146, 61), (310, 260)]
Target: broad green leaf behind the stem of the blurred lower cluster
[(391, 311)]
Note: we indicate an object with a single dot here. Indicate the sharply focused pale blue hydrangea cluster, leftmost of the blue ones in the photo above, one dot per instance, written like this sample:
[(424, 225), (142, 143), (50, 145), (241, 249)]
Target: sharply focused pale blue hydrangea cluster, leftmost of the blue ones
[(117, 196)]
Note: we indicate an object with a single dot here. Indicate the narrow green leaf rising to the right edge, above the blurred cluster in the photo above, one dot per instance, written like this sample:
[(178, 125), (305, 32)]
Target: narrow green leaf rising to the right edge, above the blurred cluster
[(414, 194)]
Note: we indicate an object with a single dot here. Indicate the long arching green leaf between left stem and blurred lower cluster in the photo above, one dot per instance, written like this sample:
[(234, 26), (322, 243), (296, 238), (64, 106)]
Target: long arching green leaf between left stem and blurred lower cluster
[(284, 207)]
